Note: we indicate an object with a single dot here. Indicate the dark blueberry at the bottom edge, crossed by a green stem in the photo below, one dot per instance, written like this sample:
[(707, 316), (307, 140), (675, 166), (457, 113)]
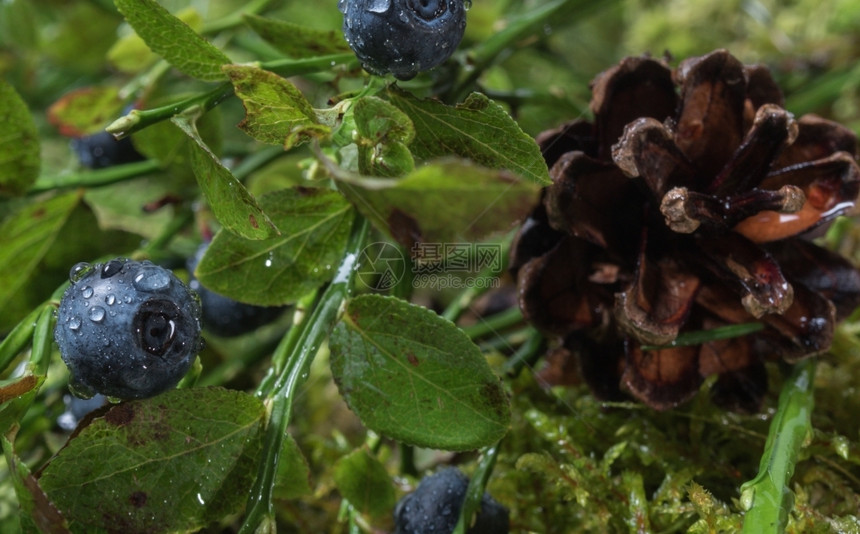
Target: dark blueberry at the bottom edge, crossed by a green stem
[(434, 507)]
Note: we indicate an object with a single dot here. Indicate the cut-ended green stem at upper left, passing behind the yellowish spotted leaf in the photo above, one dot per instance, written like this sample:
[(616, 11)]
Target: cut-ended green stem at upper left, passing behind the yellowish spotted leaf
[(139, 119)]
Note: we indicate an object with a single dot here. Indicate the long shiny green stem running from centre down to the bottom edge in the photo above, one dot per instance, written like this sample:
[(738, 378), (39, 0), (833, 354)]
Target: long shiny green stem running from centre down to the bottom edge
[(300, 348)]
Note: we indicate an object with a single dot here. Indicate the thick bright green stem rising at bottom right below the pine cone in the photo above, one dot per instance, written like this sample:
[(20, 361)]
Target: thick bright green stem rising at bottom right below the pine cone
[(767, 498)]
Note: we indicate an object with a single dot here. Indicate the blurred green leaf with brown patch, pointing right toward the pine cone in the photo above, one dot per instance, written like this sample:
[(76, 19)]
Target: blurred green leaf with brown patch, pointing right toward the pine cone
[(446, 201)]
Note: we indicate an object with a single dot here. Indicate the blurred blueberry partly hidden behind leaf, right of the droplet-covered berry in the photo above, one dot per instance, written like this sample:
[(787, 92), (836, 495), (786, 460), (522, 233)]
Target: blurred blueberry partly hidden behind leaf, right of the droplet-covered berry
[(224, 316)]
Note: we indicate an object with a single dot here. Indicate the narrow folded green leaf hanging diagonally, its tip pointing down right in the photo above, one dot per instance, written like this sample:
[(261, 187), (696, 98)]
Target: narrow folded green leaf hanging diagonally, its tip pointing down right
[(233, 206)]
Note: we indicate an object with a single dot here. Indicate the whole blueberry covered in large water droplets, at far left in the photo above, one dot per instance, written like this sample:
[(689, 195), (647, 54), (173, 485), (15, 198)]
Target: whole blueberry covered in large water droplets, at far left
[(127, 329)]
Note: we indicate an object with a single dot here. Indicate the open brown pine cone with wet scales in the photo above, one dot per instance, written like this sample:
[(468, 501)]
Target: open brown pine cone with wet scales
[(686, 205)]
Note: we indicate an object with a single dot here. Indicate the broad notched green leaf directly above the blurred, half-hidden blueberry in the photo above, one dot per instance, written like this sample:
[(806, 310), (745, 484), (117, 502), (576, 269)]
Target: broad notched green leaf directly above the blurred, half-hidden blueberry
[(314, 227)]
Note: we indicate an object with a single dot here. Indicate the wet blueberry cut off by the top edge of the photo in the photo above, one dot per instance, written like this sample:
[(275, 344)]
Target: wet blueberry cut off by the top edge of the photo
[(403, 37)]
